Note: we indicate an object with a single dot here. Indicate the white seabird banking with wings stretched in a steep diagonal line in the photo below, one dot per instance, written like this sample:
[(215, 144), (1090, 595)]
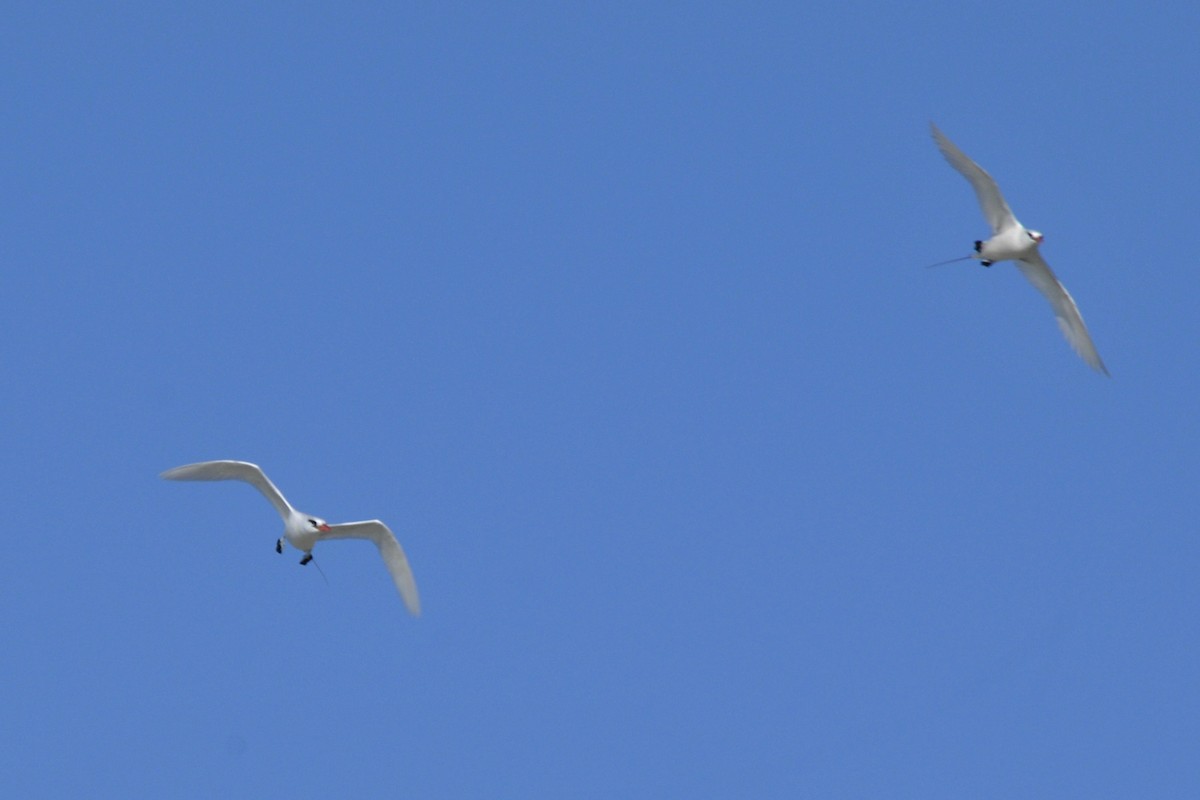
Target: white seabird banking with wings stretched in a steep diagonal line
[(1013, 242)]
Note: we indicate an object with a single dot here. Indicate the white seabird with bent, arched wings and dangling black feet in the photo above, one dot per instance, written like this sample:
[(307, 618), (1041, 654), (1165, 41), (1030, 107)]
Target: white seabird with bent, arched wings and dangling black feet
[(303, 531)]
